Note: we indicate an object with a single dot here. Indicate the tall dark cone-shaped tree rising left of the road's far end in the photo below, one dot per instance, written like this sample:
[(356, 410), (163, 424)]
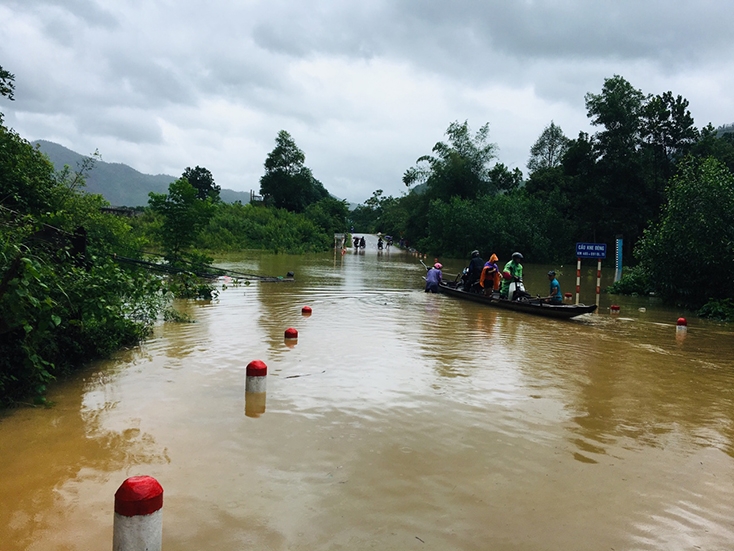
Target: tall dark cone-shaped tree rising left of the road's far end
[(287, 182)]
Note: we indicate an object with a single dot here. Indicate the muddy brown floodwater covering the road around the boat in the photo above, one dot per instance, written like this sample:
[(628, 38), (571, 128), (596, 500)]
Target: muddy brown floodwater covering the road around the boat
[(400, 420)]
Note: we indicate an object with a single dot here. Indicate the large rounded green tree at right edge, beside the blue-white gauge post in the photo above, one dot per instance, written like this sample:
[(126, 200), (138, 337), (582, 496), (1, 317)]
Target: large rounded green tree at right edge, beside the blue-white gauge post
[(689, 253)]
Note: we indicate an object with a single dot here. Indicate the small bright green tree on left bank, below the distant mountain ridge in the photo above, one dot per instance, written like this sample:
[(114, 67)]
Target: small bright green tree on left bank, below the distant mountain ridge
[(184, 215)]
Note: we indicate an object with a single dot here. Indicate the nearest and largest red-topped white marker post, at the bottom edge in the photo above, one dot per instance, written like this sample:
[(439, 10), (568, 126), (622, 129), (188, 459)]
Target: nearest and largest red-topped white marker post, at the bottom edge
[(138, 521)]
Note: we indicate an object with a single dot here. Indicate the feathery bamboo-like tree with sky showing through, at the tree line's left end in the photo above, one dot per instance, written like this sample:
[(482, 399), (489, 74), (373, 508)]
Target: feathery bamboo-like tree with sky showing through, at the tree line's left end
[(457, 168)]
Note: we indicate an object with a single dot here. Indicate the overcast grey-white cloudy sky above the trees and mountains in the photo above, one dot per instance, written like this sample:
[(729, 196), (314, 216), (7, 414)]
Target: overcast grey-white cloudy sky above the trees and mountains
[(363, 87)]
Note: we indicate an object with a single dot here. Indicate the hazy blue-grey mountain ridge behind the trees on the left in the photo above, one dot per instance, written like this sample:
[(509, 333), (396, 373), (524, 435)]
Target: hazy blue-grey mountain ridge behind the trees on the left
[(120, 184)]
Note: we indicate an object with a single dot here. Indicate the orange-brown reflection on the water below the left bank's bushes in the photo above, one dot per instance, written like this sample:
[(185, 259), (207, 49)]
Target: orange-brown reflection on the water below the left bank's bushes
[(56, 462)]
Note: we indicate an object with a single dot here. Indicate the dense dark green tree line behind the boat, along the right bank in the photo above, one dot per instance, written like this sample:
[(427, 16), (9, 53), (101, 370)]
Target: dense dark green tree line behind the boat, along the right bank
[(647, 174)]
